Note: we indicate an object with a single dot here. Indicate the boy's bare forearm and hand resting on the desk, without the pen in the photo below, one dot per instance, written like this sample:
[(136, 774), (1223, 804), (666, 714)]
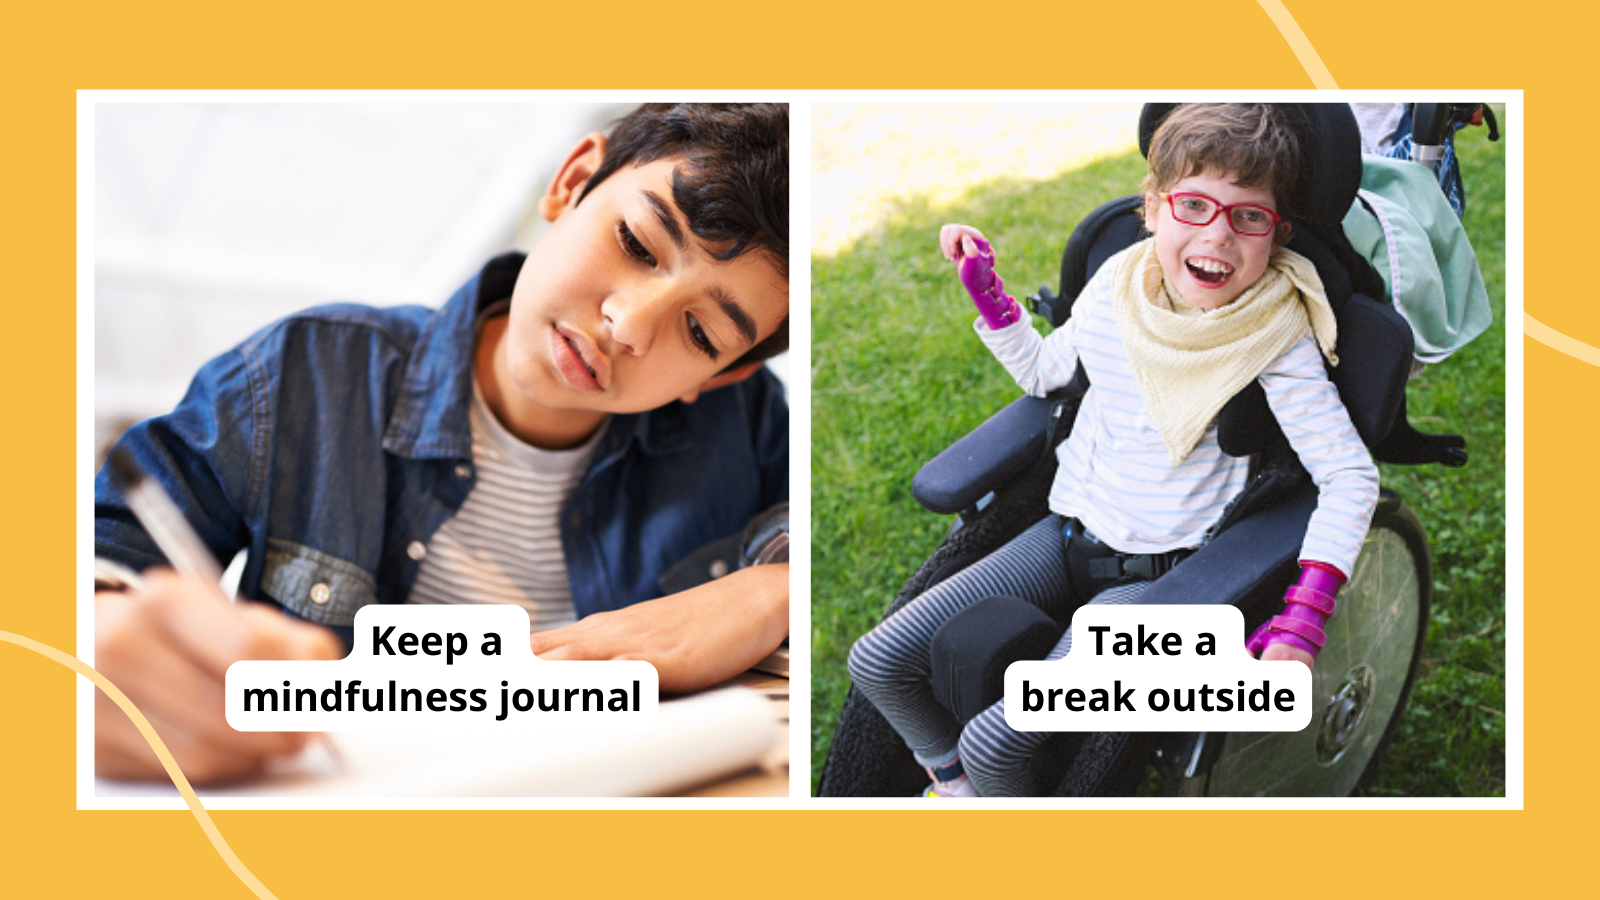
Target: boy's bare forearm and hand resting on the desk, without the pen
[(695, 640)]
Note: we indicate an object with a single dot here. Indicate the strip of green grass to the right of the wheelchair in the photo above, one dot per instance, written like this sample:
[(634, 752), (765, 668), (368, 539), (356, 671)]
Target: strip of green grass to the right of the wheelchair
[(1452, 741)]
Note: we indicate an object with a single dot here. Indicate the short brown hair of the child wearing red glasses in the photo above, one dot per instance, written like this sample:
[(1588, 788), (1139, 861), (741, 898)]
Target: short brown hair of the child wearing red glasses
[(1257, 143)]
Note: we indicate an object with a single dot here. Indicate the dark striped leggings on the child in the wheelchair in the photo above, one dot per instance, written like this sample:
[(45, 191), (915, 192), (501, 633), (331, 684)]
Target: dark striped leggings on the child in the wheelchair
[(892, 667)]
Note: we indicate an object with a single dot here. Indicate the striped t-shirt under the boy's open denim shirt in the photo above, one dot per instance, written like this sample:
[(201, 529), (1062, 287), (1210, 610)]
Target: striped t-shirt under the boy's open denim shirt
[(505, 544)]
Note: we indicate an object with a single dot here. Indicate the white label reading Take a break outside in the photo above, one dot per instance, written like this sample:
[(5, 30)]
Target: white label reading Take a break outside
[(1158, 669)]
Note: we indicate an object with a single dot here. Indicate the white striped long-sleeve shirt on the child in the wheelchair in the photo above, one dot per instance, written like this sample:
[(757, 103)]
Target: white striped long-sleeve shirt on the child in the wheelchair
[(1114, 472)]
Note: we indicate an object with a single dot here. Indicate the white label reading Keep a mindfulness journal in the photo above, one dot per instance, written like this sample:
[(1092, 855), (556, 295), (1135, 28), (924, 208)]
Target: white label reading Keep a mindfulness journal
[(420, 669)]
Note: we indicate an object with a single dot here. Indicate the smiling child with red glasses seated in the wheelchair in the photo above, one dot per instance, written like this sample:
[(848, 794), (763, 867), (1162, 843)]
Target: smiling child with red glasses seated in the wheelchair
[(1167, 332)]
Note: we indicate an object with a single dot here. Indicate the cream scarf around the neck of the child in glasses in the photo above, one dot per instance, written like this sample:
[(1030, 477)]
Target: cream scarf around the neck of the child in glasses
[(1190, 366)]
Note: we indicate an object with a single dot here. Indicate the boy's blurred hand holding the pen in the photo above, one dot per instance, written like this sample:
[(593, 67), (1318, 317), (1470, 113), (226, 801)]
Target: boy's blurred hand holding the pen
[(169, 648)]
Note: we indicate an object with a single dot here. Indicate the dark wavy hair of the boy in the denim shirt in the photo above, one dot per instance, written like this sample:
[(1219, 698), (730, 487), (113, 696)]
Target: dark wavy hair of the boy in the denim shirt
[(734, 185)]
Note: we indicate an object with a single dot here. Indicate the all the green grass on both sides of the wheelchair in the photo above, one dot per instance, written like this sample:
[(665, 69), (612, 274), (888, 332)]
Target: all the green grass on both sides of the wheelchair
[(898, 376)]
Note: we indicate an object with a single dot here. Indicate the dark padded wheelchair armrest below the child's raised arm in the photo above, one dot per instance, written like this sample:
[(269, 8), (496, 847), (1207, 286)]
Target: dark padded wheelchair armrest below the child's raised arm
[(986, 459)]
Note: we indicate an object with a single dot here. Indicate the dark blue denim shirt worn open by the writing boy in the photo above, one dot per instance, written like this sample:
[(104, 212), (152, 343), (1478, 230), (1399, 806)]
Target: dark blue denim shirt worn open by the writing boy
[(334, 444)]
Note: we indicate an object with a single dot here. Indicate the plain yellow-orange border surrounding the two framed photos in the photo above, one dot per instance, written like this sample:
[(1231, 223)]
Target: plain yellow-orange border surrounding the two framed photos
[(50, 850)]
